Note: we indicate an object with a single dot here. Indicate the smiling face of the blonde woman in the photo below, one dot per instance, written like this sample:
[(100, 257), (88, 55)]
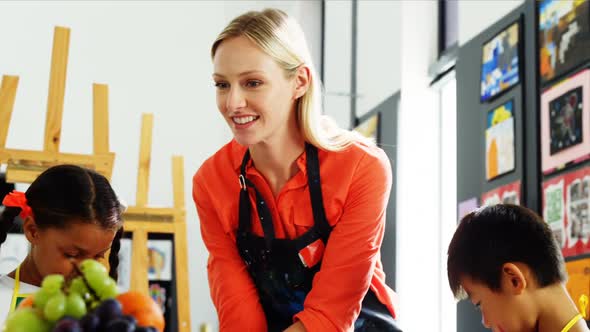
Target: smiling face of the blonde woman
[(254, 95)]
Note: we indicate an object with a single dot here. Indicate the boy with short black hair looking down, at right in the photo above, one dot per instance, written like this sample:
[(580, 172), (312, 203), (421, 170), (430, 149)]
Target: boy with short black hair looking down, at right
[(505, 259)]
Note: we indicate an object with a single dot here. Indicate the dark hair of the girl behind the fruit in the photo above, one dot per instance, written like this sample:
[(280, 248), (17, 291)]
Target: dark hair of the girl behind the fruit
[(67, 193)]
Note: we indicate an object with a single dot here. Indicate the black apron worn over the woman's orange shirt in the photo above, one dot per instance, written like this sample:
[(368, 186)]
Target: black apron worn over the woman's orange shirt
[(276, 265)]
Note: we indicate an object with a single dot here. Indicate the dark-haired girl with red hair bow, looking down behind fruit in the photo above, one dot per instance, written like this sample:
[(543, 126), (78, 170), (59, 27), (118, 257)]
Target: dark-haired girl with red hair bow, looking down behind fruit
[(69, 214)]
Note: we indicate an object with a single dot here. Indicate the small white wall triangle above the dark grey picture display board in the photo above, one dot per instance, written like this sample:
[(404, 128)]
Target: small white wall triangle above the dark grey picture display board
[(476, 16)]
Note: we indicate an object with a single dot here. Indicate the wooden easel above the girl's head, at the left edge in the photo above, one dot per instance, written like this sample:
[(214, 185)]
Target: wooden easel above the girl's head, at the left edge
[(24, 166)]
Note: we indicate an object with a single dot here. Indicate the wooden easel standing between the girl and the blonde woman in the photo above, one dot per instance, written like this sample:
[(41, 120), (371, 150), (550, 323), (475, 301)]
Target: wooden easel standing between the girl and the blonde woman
[(141, 220)]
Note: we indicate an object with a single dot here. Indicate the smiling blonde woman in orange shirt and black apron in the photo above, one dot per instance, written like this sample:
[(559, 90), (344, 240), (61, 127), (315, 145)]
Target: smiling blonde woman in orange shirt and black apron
[(292, 210)]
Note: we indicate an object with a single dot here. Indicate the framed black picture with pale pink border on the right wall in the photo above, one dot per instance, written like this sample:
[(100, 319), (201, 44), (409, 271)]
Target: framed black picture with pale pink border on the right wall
[(565, 122)]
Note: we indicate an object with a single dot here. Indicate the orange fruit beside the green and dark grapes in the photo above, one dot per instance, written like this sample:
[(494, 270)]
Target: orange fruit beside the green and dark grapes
[(145, 310)]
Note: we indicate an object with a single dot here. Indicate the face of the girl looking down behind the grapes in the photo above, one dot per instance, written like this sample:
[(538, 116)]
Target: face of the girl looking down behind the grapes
[(54, 248)]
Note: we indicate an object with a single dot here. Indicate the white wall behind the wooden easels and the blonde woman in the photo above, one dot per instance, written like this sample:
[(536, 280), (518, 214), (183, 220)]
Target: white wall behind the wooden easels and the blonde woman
[(155, 58)]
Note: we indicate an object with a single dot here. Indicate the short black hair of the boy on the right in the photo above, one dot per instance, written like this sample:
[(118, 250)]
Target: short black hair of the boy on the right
[(488, 238)]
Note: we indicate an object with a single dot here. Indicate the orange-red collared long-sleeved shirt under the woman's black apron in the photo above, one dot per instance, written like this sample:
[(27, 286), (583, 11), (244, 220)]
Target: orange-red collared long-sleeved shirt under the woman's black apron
[(355, 186)]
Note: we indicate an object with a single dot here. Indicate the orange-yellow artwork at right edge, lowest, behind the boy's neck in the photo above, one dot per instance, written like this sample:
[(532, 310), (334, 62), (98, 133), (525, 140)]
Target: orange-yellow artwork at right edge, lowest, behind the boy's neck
[(578, 283)]
